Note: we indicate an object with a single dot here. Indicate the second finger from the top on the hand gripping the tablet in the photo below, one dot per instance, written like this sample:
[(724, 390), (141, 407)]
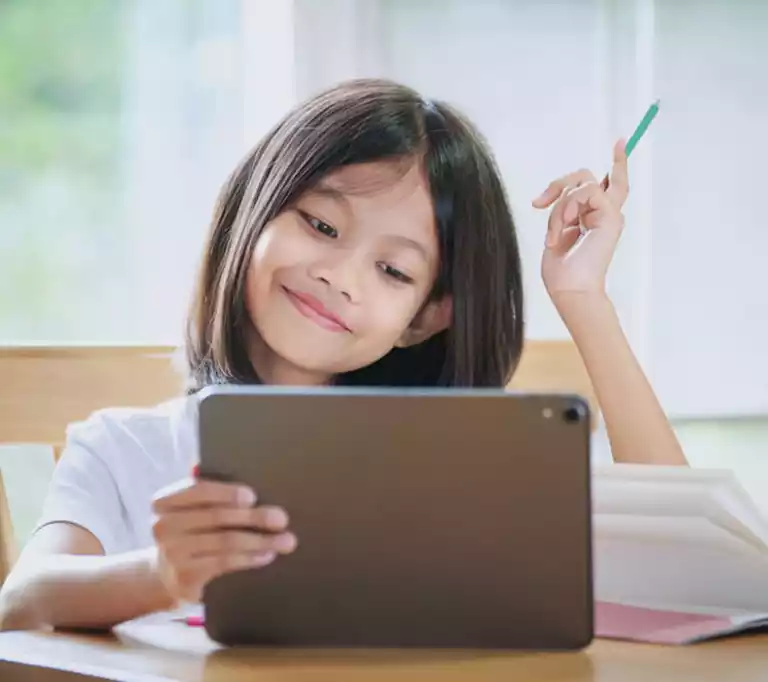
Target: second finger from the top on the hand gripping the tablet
[(194, 521)]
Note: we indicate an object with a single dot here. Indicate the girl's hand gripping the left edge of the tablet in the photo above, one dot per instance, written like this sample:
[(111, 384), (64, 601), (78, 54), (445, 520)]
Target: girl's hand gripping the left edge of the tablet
[(204, 529)]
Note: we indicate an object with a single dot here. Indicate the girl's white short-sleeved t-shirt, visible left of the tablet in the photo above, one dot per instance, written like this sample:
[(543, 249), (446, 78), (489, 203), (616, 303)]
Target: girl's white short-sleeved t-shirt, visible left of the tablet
[(112, 466)]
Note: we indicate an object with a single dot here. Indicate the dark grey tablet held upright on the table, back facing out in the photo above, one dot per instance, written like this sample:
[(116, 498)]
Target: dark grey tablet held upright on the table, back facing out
[(456, 518)]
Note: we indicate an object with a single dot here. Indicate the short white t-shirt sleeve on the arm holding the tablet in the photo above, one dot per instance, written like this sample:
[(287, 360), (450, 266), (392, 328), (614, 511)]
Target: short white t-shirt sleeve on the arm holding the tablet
[(83, 490)]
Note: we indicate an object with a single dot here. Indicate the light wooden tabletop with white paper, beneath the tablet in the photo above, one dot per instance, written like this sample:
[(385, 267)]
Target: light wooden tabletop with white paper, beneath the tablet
[(157, 649)]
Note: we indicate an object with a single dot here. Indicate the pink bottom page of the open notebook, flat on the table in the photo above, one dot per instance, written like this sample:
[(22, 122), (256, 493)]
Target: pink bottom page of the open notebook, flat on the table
[(616, 621)]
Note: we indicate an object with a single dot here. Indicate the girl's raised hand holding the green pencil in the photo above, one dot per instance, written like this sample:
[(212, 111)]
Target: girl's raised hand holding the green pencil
[(584, 228)]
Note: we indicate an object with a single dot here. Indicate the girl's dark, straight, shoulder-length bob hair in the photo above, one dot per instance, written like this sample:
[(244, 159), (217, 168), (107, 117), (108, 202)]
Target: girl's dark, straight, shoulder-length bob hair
[(363, 121)]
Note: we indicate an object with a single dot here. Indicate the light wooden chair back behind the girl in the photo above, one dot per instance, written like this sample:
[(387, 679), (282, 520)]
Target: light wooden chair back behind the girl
[(43, 389)]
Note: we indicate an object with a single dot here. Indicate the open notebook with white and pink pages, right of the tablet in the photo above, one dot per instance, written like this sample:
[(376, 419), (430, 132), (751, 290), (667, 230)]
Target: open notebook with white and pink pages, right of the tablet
[(680, 554)]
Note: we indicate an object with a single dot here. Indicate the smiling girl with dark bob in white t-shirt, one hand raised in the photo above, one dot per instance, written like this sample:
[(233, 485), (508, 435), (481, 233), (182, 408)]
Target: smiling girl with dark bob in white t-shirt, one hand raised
[(365, 240)]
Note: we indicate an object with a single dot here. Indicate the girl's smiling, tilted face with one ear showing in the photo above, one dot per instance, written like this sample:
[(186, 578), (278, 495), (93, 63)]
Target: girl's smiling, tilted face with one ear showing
[(340, 278)]
